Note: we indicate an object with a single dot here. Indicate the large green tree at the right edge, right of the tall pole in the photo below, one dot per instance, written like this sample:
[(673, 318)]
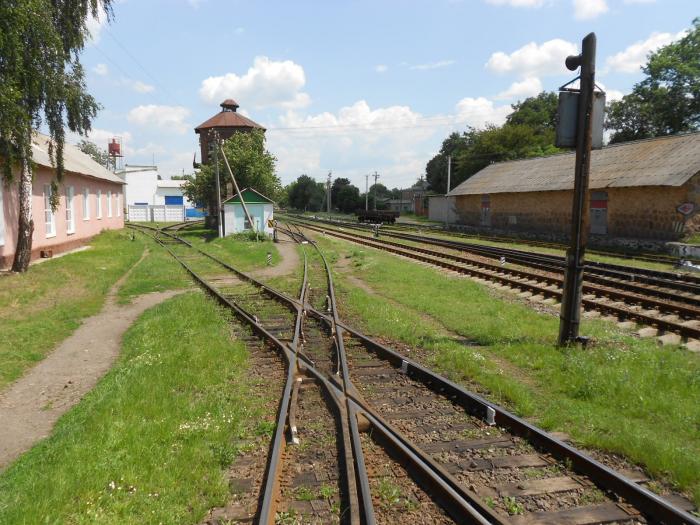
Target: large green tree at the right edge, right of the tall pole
[(667, 101)]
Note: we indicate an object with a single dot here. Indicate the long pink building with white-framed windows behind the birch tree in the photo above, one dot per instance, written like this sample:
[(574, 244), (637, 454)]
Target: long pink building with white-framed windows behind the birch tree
[(90, 200)]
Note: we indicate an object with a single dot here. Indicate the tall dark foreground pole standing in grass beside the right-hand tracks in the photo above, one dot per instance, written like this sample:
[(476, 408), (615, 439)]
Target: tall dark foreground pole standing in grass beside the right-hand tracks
[(570, 316)]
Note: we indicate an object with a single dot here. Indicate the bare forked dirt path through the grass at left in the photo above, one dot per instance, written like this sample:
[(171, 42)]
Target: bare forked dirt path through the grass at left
[(31, 406)]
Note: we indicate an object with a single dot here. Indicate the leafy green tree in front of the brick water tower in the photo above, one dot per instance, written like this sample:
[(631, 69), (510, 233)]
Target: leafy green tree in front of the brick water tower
[(252, 165)]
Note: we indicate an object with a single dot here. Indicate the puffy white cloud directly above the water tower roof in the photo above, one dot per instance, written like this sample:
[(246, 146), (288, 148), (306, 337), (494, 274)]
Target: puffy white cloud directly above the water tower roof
[(267, 83)]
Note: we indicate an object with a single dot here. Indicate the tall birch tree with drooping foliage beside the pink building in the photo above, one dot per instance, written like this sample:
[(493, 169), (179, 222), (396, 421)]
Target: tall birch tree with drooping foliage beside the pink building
[(42, 82)]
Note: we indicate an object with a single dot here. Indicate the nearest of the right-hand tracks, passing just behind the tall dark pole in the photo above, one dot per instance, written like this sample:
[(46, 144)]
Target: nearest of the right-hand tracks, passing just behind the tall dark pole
[(680, 315)]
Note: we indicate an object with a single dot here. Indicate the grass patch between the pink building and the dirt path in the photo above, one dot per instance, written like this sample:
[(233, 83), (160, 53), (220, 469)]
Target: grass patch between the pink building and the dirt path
[(43, 306)]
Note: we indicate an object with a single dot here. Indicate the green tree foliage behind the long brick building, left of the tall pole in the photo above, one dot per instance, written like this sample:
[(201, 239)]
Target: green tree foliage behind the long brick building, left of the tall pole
[(528, 132)]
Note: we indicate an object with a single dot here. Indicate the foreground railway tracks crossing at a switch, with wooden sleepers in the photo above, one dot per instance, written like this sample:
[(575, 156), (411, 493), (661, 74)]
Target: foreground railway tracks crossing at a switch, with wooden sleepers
[(618, 500)]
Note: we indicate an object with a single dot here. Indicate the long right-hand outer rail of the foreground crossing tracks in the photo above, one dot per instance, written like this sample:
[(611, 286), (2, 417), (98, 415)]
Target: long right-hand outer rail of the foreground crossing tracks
[(644, 500)]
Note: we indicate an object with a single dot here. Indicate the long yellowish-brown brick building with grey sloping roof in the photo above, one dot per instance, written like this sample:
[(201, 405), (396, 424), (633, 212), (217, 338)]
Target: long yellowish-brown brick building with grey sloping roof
[(647, 189)]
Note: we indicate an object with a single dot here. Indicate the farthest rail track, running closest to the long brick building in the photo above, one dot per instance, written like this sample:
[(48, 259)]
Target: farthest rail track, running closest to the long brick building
[(656, 258)]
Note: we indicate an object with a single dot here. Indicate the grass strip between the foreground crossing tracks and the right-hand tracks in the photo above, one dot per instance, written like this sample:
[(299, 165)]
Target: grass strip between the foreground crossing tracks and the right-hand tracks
[(623, 394)]
